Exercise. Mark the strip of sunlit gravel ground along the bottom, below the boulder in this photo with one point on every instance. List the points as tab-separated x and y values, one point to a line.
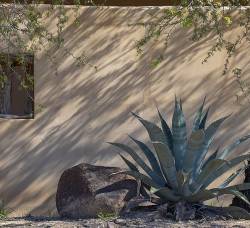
138	220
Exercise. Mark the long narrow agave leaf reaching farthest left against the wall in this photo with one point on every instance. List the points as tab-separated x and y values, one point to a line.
140	162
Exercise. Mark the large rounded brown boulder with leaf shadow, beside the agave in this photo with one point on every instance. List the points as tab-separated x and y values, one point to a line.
86	190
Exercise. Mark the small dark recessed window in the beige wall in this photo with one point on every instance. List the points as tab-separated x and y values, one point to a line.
17	86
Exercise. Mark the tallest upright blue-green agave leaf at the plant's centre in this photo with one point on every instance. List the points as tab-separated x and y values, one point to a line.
179	135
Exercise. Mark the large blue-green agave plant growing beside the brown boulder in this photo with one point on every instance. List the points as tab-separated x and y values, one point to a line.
180	171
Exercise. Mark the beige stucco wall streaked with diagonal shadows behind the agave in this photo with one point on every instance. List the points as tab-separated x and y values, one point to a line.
83	109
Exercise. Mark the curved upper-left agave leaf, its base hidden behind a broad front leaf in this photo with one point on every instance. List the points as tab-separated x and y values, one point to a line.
155	133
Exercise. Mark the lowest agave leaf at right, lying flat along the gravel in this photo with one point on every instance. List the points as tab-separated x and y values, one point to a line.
234	212
